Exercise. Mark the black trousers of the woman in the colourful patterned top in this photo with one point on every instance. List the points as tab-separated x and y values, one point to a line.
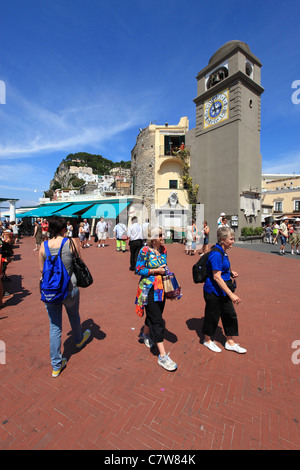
154	320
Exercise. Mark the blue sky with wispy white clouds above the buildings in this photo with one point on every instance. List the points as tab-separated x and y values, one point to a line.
85	75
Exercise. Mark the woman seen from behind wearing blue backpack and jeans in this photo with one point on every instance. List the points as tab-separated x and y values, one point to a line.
58	288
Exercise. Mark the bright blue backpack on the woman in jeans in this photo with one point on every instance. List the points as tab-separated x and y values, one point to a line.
55	280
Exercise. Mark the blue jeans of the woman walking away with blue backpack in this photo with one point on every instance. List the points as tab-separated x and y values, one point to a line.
71	304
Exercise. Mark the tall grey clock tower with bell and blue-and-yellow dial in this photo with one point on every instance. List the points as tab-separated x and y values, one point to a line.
225	144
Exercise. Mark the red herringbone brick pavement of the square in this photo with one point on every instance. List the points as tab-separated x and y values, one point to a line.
113	395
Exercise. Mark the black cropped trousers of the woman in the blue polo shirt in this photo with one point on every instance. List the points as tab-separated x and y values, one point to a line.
216	307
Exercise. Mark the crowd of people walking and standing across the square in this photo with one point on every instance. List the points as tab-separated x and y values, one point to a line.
148	259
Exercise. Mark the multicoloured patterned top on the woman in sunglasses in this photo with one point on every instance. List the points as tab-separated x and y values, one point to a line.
146	261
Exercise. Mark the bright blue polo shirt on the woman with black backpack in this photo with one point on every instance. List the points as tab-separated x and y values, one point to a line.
215	263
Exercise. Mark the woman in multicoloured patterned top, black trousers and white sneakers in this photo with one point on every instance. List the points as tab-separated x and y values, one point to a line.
150	265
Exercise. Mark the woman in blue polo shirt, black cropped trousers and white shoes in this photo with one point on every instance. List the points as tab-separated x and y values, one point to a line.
218	295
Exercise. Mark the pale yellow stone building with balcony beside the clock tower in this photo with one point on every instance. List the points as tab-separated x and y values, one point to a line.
157	169
